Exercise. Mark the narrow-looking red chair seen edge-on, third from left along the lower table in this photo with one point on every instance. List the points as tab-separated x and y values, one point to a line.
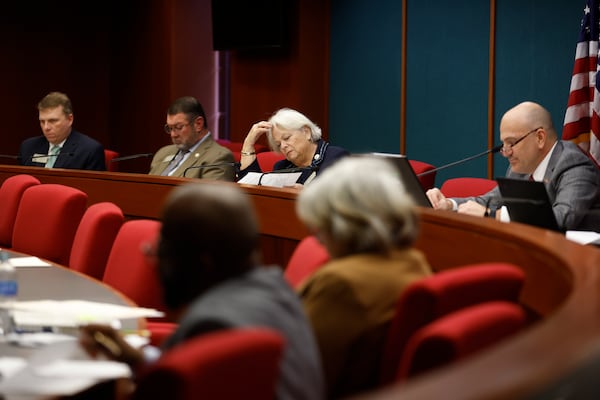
94	238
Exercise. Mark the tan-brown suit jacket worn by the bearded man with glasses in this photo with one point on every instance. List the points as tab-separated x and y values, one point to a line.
209	152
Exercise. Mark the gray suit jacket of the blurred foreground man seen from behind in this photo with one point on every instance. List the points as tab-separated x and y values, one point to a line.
261	298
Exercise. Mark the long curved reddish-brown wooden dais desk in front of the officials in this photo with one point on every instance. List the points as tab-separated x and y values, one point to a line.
562	281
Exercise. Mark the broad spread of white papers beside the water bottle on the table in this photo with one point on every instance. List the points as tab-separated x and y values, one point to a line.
73	313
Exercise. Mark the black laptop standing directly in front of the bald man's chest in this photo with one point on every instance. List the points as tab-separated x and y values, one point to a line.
527	202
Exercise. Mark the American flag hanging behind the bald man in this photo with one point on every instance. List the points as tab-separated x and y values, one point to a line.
582	119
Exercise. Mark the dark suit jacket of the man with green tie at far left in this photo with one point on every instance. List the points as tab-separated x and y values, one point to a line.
78	152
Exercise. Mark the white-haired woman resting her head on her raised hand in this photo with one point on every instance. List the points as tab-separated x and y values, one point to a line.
292	134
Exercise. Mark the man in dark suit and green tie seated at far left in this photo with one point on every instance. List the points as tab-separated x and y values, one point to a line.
60	146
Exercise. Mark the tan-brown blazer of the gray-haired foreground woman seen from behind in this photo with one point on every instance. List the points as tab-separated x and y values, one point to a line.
350	302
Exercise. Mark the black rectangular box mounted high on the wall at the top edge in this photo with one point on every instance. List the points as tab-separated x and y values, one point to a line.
251	24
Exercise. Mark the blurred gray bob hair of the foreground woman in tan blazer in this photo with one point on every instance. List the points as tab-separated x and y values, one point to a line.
361	205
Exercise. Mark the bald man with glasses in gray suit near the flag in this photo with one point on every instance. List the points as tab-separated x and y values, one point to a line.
534	152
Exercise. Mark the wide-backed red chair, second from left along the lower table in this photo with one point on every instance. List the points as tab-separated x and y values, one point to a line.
47	220
